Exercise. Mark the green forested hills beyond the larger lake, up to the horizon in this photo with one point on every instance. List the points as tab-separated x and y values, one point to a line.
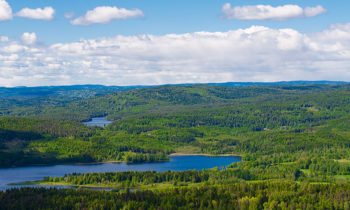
264	124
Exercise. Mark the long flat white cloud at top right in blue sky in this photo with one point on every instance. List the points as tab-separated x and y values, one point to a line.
267	12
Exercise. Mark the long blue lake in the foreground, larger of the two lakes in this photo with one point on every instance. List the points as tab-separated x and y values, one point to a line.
176	163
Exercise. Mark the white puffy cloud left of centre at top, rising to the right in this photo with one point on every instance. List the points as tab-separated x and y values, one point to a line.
105	15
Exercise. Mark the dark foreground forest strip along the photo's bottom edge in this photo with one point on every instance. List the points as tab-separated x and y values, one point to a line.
261	195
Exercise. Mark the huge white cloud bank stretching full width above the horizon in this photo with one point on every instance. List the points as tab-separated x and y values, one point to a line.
253	54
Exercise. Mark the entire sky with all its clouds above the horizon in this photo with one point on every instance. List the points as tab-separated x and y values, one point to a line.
138	42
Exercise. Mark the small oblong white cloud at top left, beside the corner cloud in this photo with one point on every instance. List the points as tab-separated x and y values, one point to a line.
41	14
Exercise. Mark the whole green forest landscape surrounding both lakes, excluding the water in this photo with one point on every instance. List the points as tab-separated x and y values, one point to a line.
294	141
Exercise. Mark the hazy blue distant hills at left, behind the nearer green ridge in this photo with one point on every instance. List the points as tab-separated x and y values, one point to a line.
23	100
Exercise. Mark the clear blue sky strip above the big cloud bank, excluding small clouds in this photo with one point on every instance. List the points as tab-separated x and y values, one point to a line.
161	17
